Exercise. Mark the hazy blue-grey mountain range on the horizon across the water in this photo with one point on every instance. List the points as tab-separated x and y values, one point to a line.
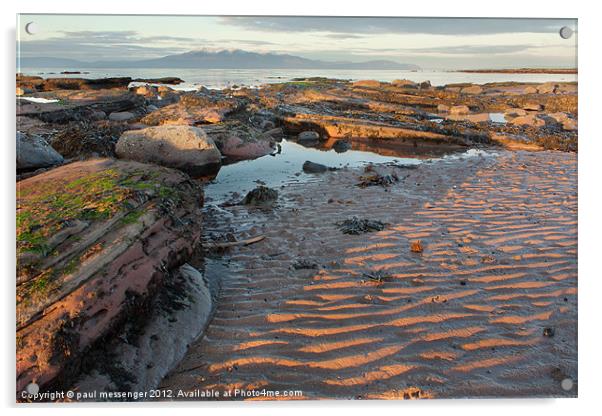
224	59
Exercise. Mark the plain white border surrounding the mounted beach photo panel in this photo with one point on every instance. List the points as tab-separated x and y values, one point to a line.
590	238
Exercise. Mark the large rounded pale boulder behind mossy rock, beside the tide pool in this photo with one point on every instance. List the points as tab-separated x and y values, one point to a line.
182	147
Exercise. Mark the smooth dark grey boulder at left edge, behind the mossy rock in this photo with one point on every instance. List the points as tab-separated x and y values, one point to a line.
34	153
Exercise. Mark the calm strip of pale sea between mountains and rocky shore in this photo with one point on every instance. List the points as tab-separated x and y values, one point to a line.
221	78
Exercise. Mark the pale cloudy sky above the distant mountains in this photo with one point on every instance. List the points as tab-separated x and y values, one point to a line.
433	43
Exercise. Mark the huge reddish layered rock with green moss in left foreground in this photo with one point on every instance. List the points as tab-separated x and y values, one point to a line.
95	240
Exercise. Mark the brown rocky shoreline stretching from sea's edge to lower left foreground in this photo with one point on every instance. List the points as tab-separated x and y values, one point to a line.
110	186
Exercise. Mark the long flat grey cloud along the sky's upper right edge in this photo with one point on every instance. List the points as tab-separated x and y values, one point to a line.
380	25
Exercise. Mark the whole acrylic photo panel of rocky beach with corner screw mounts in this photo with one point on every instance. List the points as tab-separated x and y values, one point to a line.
285	208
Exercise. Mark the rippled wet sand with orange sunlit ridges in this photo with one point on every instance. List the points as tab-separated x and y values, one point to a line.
464	318
